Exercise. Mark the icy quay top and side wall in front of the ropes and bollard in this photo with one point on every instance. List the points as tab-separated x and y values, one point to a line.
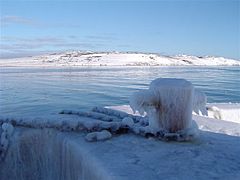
125	157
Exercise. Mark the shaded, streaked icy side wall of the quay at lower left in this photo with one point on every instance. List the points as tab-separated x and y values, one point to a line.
34	151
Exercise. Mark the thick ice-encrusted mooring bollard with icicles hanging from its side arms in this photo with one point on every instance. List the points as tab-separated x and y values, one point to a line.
168	104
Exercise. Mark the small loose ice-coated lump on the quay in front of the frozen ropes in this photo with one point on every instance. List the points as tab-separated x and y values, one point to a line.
98	136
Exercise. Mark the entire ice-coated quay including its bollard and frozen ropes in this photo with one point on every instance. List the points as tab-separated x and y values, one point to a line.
114	143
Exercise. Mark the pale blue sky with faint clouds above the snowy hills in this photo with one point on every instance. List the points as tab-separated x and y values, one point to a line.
166	27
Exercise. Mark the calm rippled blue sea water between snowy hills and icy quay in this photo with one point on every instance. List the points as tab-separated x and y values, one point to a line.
38	91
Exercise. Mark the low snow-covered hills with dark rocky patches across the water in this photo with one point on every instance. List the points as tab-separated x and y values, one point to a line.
79	58
